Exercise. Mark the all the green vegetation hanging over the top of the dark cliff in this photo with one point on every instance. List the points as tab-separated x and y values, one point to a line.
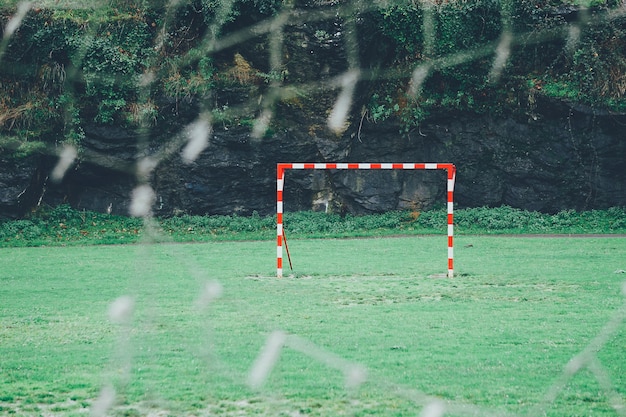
121	62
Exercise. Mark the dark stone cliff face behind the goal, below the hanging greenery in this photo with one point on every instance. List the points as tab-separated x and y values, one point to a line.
566	159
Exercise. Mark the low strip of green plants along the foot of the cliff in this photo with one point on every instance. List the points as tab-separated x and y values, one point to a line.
66	226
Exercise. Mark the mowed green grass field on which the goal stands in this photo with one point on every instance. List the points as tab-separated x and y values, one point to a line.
529	326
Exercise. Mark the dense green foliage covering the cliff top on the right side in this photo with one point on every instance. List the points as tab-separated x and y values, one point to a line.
549	45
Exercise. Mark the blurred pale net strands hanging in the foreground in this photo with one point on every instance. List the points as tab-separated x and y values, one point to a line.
194	138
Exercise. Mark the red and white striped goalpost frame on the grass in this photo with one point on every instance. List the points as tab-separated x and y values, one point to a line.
282	167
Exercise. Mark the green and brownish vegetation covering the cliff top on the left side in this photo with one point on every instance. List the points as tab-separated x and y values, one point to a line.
72	63
